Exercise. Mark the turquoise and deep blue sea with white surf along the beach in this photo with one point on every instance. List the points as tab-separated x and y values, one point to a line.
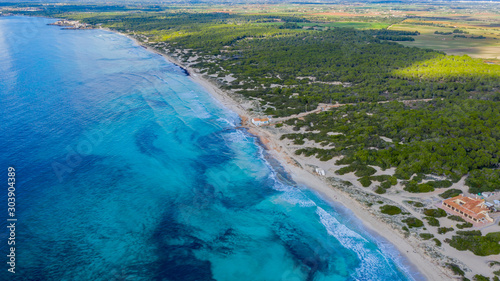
128	170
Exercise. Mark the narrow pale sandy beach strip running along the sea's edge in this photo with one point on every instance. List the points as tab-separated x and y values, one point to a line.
409	250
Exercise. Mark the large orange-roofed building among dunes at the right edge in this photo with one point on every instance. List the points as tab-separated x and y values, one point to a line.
472	209
